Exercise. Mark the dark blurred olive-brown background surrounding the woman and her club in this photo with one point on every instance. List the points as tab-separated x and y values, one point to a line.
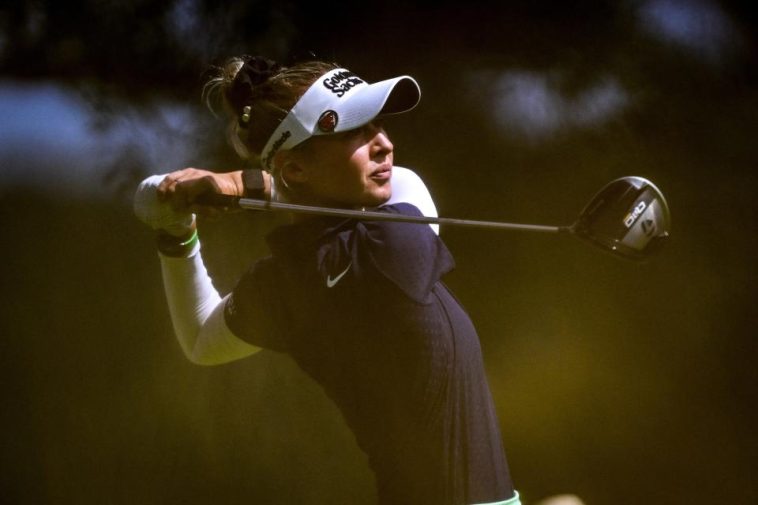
617	381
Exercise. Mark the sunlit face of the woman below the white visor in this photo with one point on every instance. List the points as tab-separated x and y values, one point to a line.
351	169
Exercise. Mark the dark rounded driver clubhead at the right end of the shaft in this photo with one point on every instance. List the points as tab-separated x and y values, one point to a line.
629	217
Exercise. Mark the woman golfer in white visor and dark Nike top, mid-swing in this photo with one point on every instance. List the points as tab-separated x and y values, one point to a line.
359	305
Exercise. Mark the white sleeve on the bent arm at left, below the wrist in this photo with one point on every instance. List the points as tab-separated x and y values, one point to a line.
197	312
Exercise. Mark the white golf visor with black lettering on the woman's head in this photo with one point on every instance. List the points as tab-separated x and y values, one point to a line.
339	101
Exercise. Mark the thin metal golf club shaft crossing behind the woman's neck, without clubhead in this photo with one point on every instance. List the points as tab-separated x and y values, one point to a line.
253	204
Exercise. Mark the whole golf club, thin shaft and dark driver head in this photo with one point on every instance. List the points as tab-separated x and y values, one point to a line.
628	217
